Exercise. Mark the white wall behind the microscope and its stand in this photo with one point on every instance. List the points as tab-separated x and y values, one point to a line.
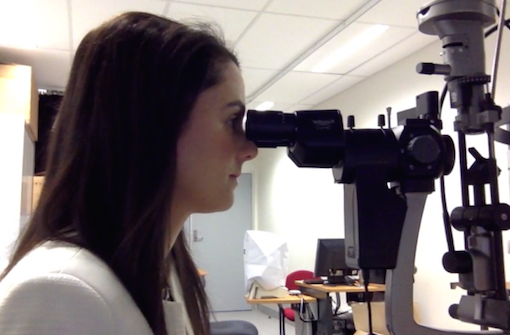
304	204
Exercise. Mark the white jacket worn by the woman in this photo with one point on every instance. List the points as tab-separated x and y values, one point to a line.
59	288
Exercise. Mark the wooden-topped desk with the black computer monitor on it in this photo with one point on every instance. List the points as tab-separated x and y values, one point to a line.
321	293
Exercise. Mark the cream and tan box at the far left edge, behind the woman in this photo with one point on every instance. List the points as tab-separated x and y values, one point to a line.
18	94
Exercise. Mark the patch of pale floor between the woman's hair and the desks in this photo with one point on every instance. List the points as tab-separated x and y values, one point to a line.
265	324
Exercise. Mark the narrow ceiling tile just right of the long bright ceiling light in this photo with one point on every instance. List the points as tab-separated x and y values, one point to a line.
395	53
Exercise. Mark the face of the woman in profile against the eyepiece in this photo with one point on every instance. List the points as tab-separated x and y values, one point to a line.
213	148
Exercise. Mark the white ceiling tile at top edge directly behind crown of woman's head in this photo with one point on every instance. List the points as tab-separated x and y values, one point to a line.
86	15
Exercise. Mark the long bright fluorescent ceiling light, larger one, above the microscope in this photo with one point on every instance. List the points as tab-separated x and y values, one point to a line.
351	47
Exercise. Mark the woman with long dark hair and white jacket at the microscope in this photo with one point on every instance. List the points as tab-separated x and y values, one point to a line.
149	131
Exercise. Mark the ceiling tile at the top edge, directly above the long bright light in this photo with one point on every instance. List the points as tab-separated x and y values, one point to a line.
330	9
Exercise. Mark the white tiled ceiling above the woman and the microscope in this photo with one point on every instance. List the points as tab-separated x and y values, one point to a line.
278	41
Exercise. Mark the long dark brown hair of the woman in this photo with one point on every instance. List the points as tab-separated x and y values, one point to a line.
112	156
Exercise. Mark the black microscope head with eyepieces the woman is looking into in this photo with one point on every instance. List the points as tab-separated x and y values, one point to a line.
316	138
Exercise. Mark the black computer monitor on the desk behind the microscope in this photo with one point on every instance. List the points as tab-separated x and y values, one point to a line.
330	261
